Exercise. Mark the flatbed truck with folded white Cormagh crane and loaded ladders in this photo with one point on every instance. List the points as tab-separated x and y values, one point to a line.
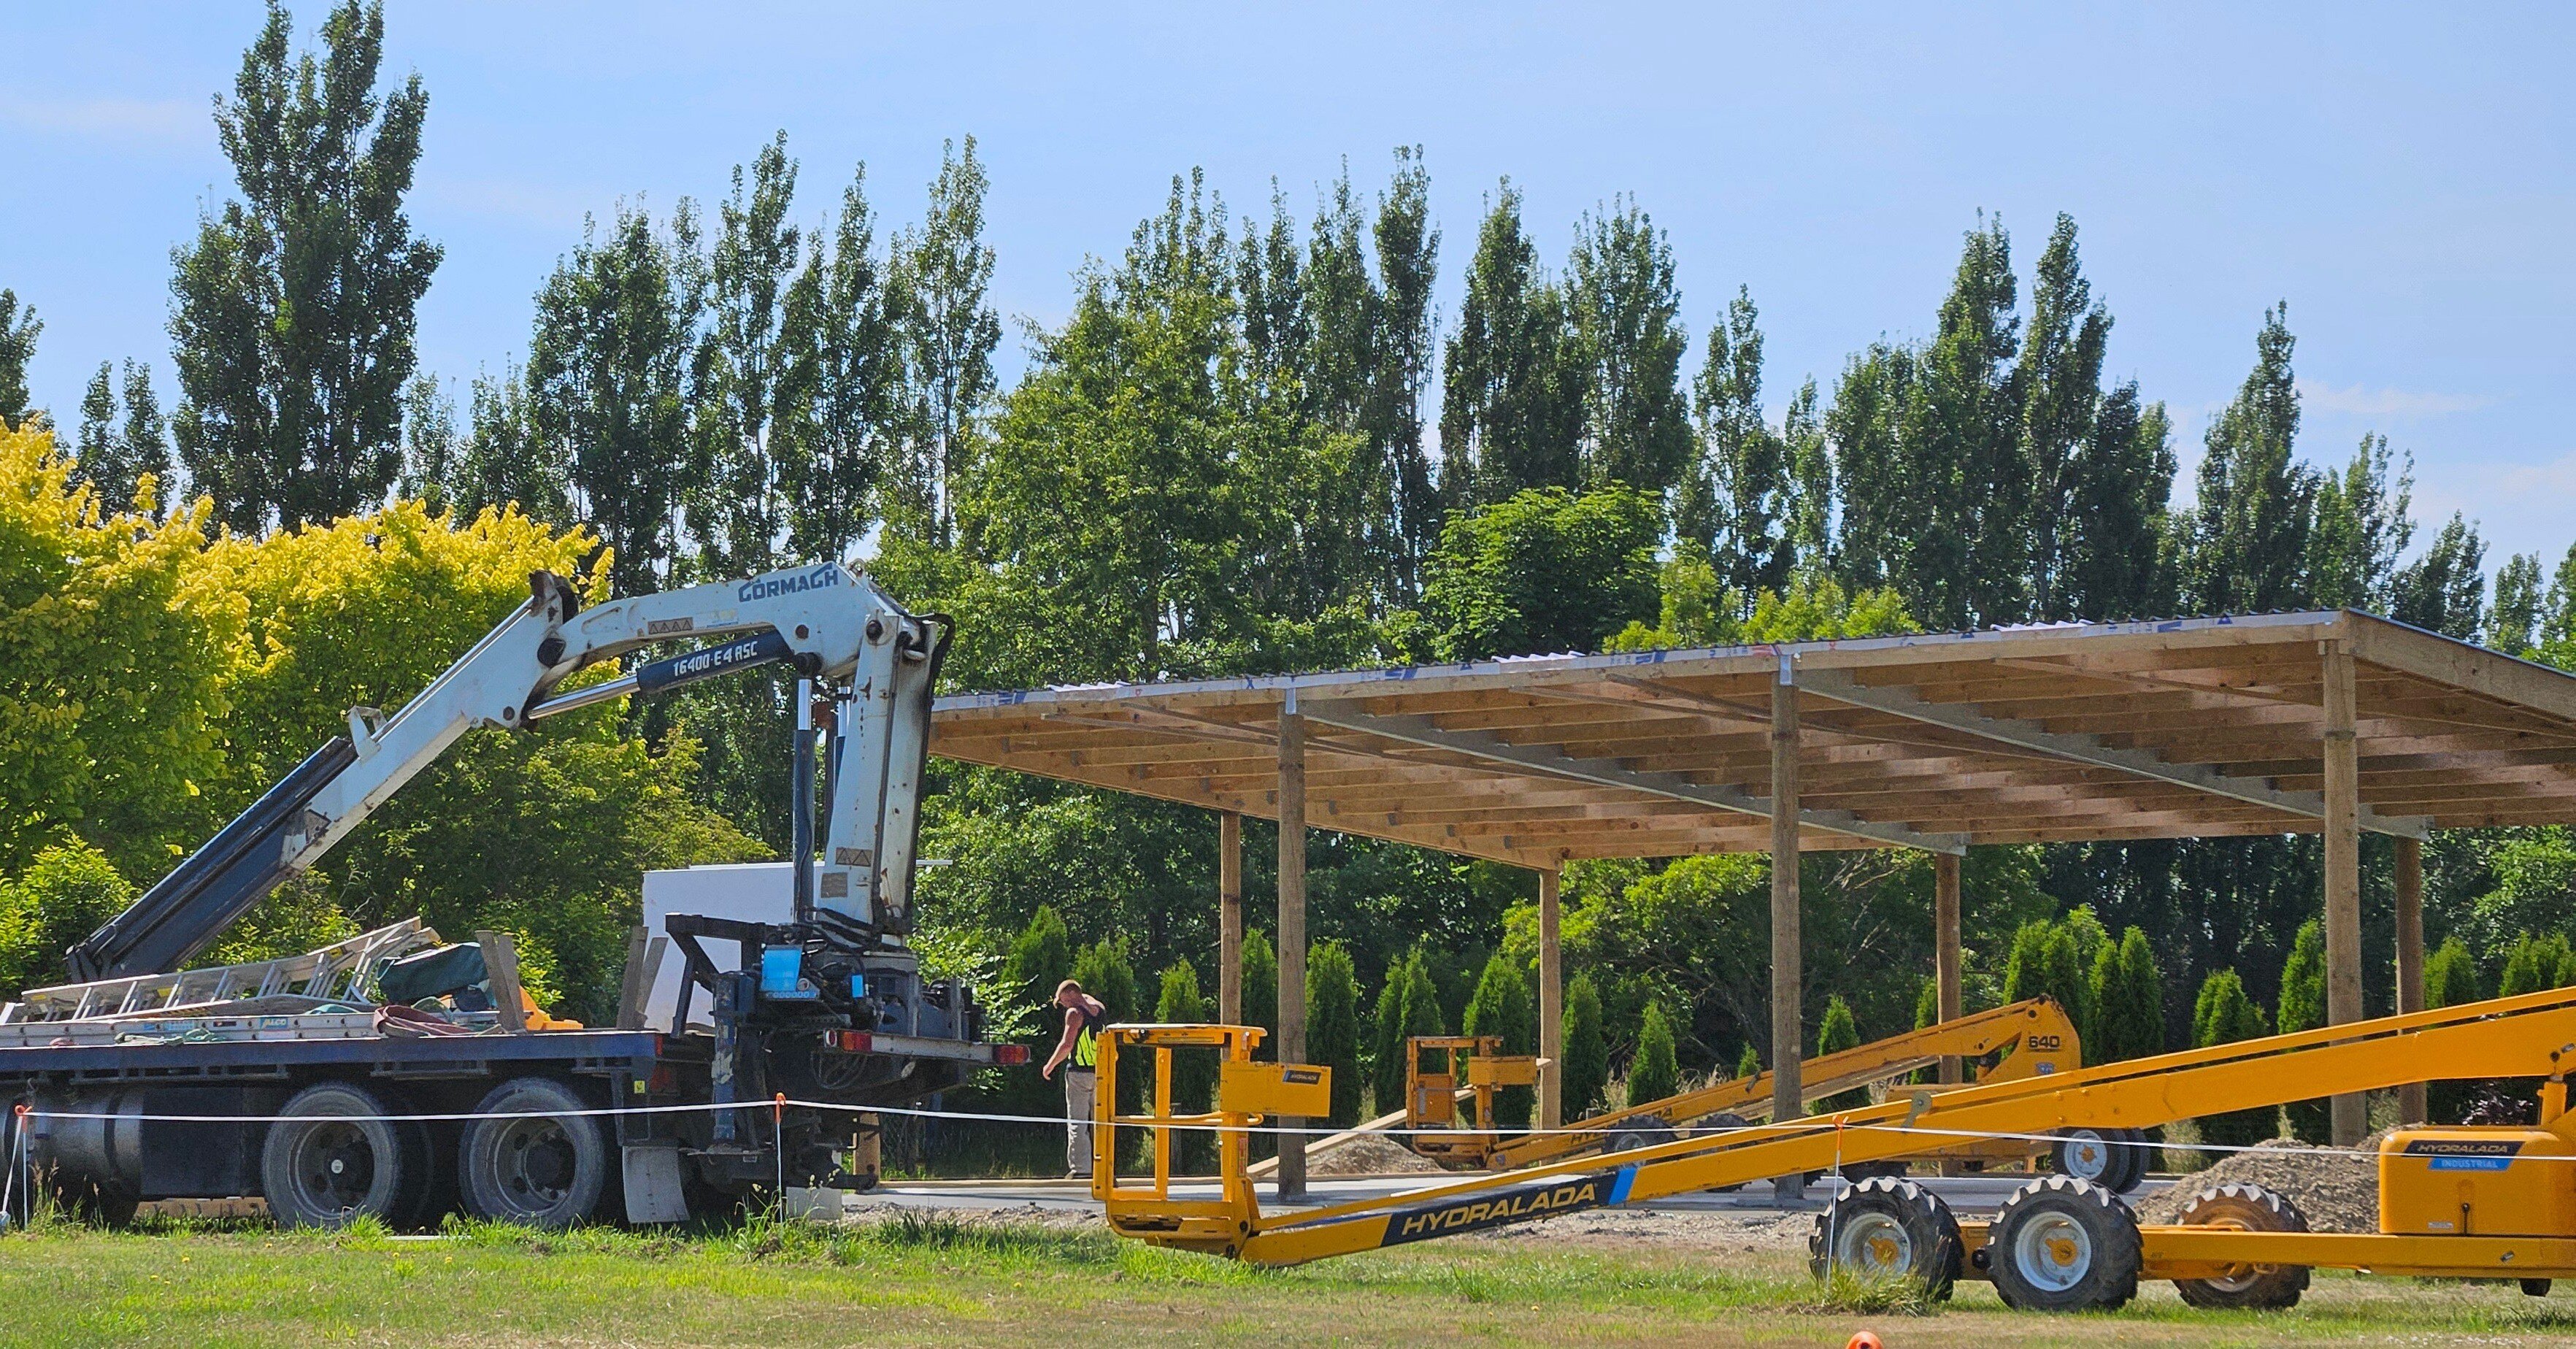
290	1080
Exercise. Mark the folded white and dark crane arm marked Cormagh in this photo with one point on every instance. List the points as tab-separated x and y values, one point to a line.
826	619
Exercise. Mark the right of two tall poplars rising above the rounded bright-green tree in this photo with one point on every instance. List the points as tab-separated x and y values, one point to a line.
1629	333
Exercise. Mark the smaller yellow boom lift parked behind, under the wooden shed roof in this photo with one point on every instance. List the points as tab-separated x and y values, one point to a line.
2008	1044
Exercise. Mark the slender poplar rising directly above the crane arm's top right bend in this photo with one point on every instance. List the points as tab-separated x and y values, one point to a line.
949	331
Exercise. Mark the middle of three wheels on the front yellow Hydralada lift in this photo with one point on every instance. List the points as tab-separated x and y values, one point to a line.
2065	1245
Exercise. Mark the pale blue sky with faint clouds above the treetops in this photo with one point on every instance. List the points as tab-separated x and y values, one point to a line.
2400	176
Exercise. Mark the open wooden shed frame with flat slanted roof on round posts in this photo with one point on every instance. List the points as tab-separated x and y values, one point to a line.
2193	727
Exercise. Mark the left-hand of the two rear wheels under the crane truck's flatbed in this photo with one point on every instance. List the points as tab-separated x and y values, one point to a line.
334	1157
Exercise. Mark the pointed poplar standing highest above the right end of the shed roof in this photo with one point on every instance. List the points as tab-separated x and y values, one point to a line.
2255	501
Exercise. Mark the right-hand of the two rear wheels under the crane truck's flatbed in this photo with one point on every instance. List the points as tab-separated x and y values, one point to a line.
547	1168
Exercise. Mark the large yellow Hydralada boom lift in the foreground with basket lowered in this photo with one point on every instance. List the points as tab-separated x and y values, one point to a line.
2474	1201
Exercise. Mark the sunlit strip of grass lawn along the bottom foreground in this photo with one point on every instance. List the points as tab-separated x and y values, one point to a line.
942	1283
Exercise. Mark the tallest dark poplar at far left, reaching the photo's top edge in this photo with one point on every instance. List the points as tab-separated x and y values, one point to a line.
292	313
